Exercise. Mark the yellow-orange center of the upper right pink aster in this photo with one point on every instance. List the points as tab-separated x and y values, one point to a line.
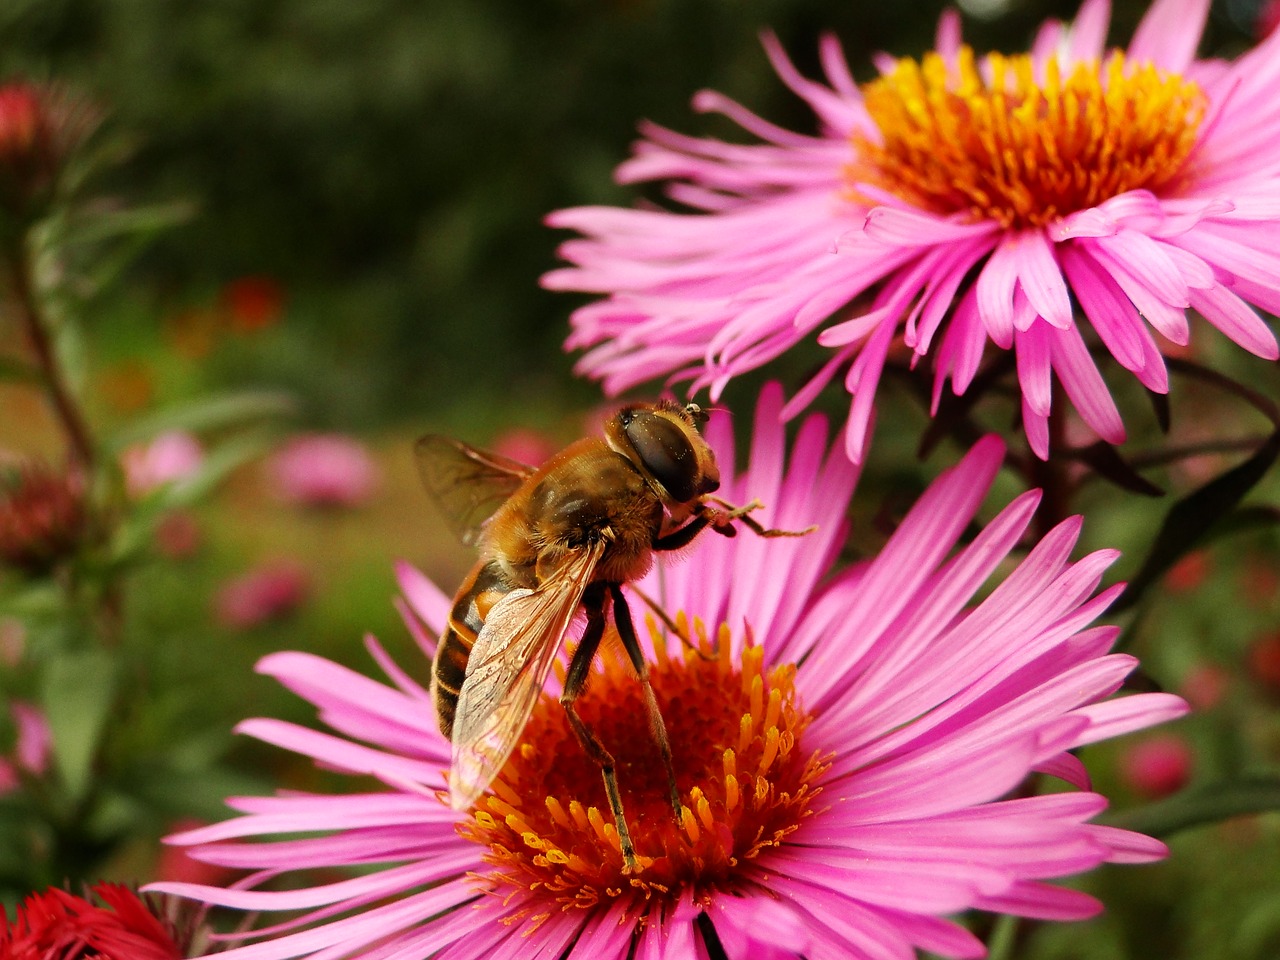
1021	144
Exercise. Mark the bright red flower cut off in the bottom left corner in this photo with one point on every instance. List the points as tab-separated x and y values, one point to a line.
61	926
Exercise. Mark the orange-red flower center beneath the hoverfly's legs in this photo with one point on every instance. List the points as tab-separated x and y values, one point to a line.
744	780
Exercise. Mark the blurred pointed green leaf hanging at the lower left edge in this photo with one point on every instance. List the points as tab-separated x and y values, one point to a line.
77	697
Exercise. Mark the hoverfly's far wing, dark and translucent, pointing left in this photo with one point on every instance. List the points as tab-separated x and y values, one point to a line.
469	484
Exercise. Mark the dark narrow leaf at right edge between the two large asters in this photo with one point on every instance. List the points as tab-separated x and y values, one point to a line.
1194	516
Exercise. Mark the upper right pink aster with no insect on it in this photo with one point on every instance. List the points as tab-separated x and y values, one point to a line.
1032	202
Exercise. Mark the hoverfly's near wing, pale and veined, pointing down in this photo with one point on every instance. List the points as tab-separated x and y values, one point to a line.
509	665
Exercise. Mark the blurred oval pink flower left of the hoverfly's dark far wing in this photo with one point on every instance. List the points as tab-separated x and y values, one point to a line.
324	470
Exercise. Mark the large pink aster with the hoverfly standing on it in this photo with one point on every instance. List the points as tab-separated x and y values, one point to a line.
848	748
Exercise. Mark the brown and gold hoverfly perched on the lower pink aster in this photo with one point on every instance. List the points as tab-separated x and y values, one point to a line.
554	540
